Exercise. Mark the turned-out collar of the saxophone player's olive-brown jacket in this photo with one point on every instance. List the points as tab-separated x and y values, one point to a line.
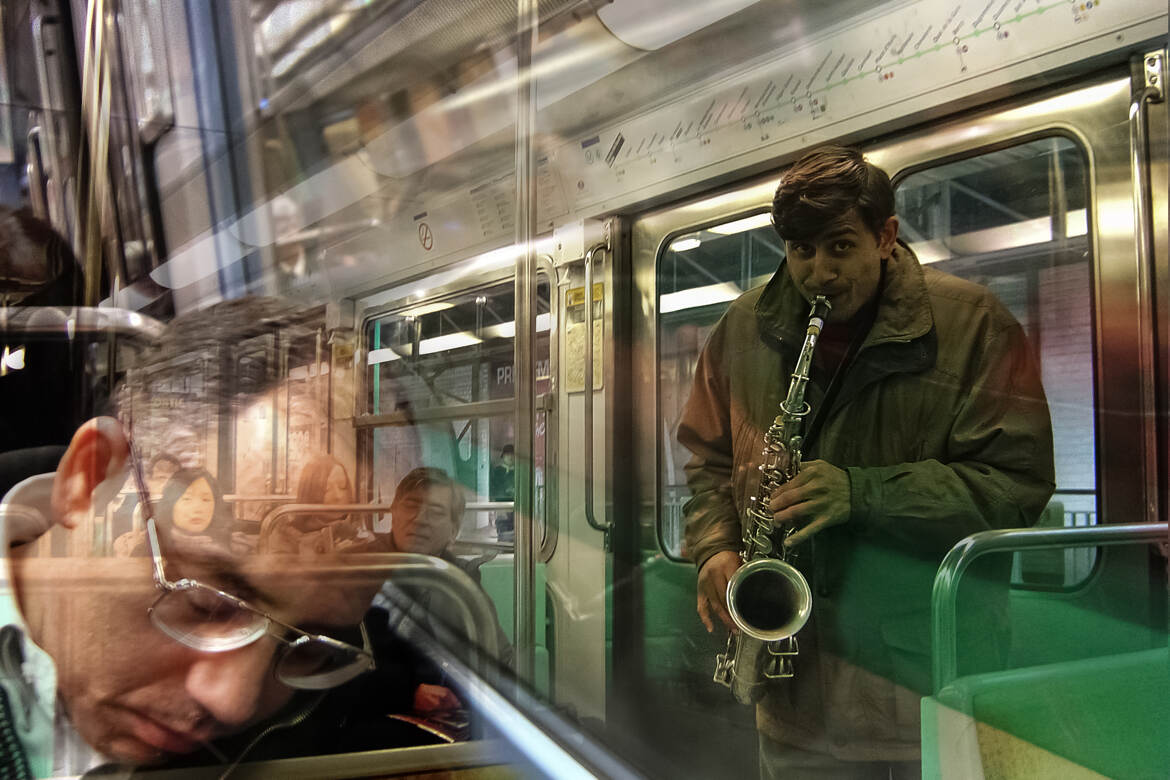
904	308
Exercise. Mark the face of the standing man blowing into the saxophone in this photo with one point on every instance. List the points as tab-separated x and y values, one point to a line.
843	263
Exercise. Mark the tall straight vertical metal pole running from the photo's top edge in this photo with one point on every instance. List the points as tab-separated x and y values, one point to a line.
525	367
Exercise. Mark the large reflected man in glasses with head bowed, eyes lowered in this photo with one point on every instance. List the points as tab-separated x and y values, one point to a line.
188	650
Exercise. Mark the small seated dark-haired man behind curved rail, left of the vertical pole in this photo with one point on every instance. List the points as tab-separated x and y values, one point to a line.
425	515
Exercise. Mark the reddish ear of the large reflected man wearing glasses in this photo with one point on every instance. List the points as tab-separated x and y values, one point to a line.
98	453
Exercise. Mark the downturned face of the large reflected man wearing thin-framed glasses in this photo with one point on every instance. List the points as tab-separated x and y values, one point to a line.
133	693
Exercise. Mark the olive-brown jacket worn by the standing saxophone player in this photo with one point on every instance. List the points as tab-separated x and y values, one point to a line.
944	430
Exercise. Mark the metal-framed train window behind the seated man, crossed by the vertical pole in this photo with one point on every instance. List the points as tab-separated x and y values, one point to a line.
437	391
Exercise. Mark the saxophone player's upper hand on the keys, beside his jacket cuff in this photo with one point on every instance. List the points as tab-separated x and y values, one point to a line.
816	500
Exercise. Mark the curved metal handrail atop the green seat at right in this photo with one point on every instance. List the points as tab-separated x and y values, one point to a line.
946	591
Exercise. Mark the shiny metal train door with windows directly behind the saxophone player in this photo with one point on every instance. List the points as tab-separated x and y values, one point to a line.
1035	201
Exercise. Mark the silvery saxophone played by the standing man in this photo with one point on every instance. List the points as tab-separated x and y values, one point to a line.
768	598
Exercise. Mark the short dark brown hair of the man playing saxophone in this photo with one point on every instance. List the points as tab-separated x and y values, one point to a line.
825	185
